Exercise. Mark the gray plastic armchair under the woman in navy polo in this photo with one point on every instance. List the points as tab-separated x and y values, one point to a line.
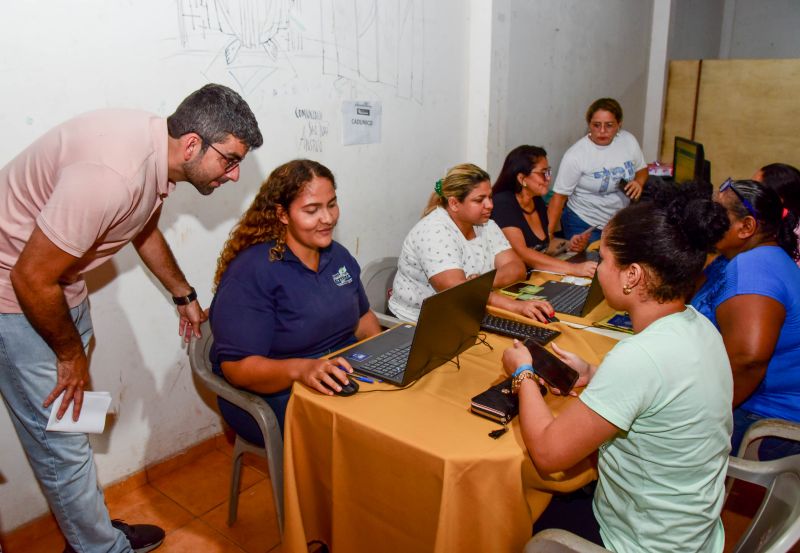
199	349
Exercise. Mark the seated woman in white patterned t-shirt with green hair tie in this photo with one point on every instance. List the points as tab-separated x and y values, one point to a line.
456	240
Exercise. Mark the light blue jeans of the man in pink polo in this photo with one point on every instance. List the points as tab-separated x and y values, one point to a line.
62	462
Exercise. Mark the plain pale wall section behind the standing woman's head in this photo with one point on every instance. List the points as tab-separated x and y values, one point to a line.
562	56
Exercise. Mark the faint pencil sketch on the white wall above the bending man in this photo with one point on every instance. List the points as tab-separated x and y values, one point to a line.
291	46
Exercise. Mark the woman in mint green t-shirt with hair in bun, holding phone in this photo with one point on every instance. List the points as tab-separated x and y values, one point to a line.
658	407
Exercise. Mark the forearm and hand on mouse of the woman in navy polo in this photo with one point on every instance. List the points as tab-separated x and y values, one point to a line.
265	376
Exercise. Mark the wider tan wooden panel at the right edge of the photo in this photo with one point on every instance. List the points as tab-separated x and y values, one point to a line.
749	115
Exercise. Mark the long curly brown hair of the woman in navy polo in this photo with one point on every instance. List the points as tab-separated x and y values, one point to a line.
260	222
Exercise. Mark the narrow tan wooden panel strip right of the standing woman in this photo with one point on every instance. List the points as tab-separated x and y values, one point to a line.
679	110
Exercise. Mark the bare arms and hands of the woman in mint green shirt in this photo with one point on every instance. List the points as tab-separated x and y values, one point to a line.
556	444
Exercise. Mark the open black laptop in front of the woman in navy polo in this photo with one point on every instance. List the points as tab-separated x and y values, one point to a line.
448	324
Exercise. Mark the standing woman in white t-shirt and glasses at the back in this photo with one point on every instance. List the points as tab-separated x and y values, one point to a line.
599	175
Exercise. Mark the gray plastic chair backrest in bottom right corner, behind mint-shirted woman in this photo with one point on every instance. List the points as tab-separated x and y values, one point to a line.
776	526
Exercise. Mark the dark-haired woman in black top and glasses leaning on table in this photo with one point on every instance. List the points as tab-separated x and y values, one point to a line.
521	213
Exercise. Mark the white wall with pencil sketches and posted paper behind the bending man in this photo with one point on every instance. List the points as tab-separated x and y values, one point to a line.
58	59
